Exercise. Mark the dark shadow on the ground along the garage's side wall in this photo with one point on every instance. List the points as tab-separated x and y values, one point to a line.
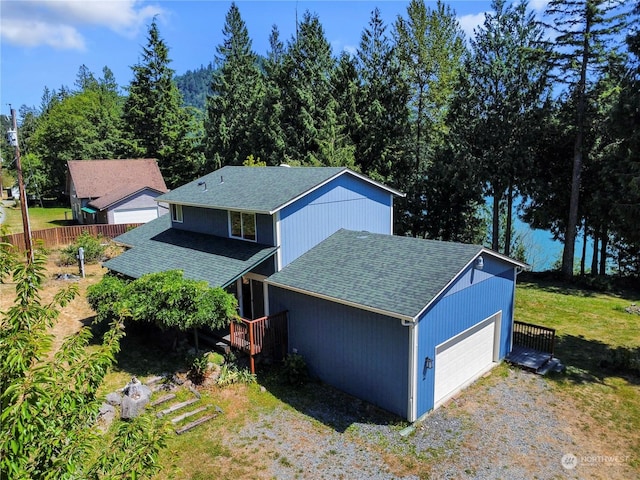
324	403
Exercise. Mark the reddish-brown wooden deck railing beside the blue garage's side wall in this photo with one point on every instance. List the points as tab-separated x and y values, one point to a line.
267	335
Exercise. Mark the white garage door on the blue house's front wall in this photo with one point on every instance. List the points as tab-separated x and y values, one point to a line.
463	358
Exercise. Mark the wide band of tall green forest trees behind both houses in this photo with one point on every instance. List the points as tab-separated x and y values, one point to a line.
538	113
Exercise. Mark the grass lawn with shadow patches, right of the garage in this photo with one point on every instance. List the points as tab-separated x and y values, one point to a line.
589	327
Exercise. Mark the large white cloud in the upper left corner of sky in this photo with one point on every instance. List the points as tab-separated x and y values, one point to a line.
59	23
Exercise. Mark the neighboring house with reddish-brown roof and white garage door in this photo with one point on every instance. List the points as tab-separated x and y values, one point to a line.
115	191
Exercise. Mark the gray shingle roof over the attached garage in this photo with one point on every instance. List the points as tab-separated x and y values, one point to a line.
391	274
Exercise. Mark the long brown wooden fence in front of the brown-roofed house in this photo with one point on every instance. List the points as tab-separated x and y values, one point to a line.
54	237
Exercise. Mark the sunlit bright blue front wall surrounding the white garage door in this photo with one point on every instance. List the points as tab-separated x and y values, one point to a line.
474	297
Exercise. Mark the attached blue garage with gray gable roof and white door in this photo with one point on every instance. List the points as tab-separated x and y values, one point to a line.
400	322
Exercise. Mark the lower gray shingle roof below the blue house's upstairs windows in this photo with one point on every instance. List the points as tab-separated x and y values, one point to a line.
159	248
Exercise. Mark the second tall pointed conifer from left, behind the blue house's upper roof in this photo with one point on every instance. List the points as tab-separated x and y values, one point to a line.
237	90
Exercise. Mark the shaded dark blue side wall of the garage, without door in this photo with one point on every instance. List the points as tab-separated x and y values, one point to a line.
358	352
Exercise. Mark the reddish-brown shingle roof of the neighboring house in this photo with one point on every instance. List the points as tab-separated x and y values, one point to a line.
96	178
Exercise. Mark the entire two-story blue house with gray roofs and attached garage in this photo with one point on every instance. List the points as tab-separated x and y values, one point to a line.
403	323
